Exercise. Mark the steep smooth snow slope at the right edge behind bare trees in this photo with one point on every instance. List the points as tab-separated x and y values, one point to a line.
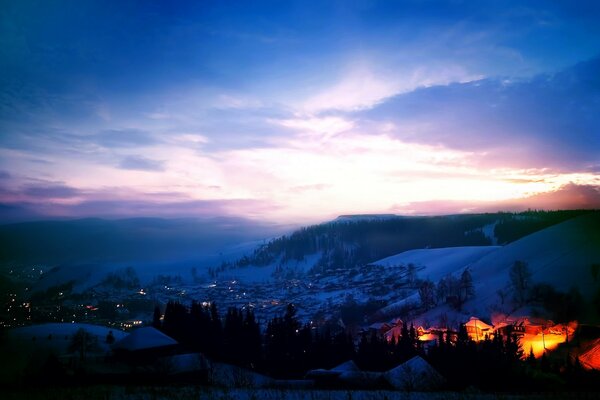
561	256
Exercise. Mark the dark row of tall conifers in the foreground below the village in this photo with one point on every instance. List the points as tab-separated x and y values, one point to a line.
287	348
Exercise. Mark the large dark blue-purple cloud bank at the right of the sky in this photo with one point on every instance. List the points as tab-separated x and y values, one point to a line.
549	121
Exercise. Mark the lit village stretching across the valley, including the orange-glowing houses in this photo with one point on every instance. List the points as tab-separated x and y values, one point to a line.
318	298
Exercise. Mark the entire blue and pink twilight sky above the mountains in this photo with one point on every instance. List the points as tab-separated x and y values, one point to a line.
297	111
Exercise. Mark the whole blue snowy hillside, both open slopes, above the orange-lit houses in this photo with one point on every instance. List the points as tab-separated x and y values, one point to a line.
563	260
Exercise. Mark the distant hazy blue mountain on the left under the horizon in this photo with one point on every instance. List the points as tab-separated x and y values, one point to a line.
136	240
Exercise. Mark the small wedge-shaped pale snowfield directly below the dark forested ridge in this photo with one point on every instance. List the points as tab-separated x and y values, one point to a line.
438	262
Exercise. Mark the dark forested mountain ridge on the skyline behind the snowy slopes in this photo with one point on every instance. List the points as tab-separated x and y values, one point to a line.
349	242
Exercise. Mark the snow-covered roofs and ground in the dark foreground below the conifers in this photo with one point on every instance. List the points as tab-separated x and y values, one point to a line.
150	351
